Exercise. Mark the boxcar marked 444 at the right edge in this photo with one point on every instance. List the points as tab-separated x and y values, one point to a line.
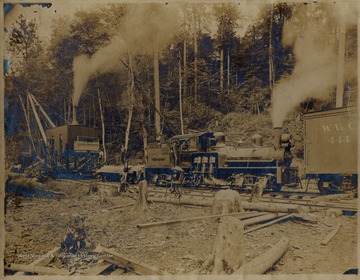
331	149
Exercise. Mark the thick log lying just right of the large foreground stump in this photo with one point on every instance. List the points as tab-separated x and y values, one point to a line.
264	262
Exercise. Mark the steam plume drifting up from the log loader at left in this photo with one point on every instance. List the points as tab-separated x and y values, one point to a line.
144	28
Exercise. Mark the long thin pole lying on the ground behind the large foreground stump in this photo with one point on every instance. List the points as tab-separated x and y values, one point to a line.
243	215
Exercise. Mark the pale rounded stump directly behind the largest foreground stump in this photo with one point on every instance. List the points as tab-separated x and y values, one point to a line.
226	201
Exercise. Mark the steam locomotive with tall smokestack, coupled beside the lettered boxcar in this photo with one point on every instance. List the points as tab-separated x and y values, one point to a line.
206	159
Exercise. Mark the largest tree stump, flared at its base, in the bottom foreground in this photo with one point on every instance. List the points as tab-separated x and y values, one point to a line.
228	251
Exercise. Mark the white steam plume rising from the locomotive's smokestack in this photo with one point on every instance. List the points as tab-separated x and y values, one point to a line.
315	71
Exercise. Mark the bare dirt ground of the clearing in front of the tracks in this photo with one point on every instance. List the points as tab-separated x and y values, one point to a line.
34	226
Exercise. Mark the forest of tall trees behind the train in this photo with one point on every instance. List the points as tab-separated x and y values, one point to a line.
215	71
